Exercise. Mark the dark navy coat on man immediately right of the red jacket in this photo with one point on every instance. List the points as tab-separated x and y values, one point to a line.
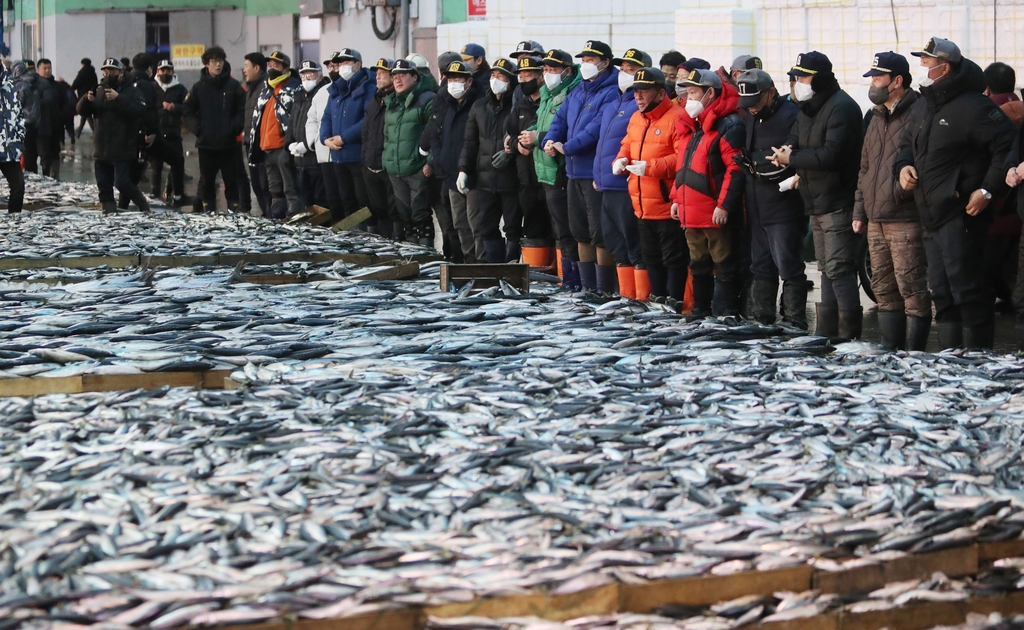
765	204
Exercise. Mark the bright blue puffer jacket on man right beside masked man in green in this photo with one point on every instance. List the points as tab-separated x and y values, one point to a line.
578	123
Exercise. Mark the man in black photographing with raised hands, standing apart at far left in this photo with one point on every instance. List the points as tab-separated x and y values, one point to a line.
118	107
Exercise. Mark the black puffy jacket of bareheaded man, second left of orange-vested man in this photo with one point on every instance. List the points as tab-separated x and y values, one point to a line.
216	110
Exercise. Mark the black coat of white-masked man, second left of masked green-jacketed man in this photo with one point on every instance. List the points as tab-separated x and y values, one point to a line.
485	137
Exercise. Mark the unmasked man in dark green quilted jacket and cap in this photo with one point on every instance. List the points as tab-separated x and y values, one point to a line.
408	112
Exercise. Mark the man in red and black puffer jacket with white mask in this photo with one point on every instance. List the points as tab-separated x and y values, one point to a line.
709	192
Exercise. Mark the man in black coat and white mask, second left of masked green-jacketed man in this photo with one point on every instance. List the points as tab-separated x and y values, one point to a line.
487	173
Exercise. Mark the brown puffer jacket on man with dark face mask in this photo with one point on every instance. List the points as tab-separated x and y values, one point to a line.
880	198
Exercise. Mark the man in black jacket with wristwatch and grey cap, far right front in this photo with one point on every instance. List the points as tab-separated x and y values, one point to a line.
954	173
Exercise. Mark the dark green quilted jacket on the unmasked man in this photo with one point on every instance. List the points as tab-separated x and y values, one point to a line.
404	123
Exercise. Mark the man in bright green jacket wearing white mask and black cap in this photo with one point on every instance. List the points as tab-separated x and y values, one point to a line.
562	76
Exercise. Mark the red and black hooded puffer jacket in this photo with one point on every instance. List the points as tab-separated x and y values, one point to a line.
708	176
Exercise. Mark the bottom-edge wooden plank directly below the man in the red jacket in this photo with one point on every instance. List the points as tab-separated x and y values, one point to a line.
705	591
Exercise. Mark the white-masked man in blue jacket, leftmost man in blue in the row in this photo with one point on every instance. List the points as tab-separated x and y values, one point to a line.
342	132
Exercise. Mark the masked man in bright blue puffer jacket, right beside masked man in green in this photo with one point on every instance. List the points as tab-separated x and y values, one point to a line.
575	134
